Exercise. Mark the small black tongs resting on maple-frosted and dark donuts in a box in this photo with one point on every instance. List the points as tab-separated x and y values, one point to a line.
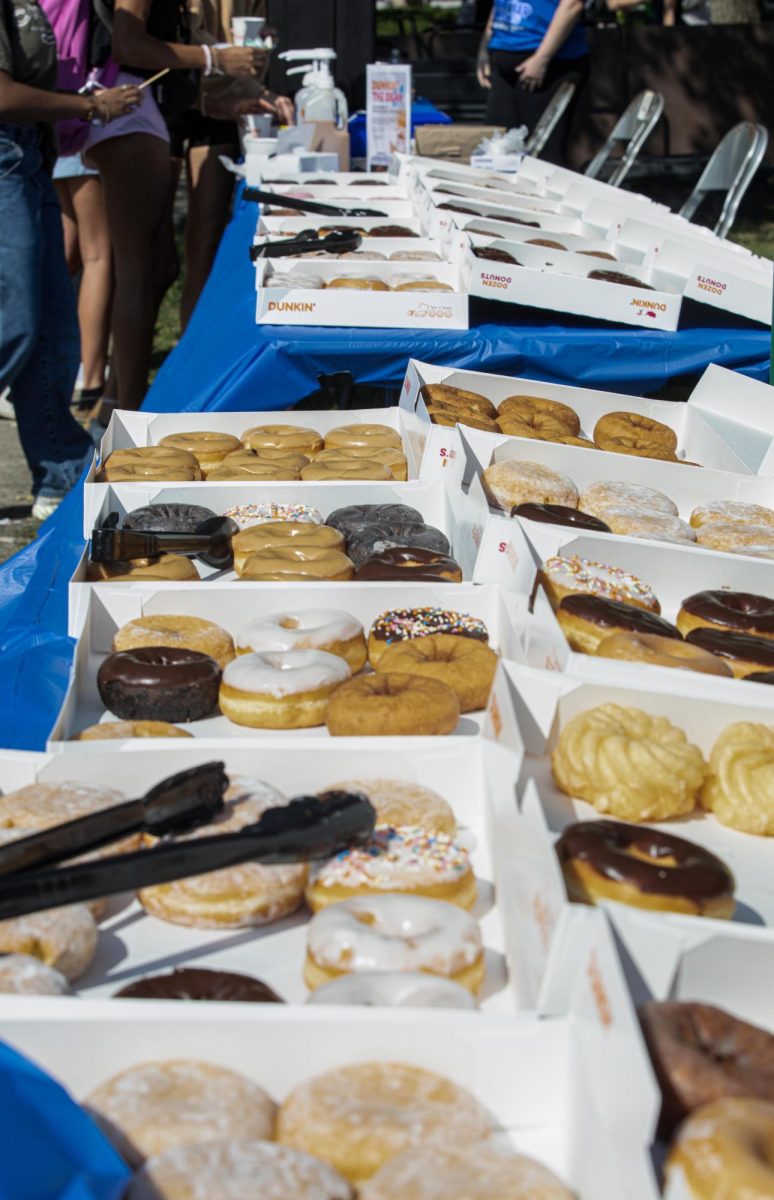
211	542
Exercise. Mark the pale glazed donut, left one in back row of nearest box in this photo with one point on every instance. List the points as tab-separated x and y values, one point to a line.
159	1106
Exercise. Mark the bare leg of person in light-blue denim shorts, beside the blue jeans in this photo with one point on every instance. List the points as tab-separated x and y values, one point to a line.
97	283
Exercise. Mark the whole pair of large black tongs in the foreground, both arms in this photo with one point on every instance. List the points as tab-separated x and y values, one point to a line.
310	827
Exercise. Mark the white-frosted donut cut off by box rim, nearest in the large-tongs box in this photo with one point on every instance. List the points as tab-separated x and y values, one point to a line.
393	989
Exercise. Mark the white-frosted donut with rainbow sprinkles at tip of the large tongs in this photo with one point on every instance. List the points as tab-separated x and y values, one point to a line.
409	861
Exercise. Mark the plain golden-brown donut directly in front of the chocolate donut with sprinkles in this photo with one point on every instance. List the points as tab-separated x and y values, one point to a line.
465	664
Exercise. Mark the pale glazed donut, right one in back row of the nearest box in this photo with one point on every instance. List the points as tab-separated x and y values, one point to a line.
358	1118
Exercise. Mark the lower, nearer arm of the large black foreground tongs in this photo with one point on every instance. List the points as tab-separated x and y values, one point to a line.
308	829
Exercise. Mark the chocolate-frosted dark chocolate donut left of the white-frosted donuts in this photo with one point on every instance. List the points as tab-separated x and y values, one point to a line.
159	683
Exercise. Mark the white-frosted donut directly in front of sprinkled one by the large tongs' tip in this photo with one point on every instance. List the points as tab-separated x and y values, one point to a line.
394	933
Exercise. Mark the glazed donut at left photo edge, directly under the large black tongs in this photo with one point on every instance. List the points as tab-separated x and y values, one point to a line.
63	939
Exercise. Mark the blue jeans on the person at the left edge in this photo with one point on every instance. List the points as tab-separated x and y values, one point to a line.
40	346
